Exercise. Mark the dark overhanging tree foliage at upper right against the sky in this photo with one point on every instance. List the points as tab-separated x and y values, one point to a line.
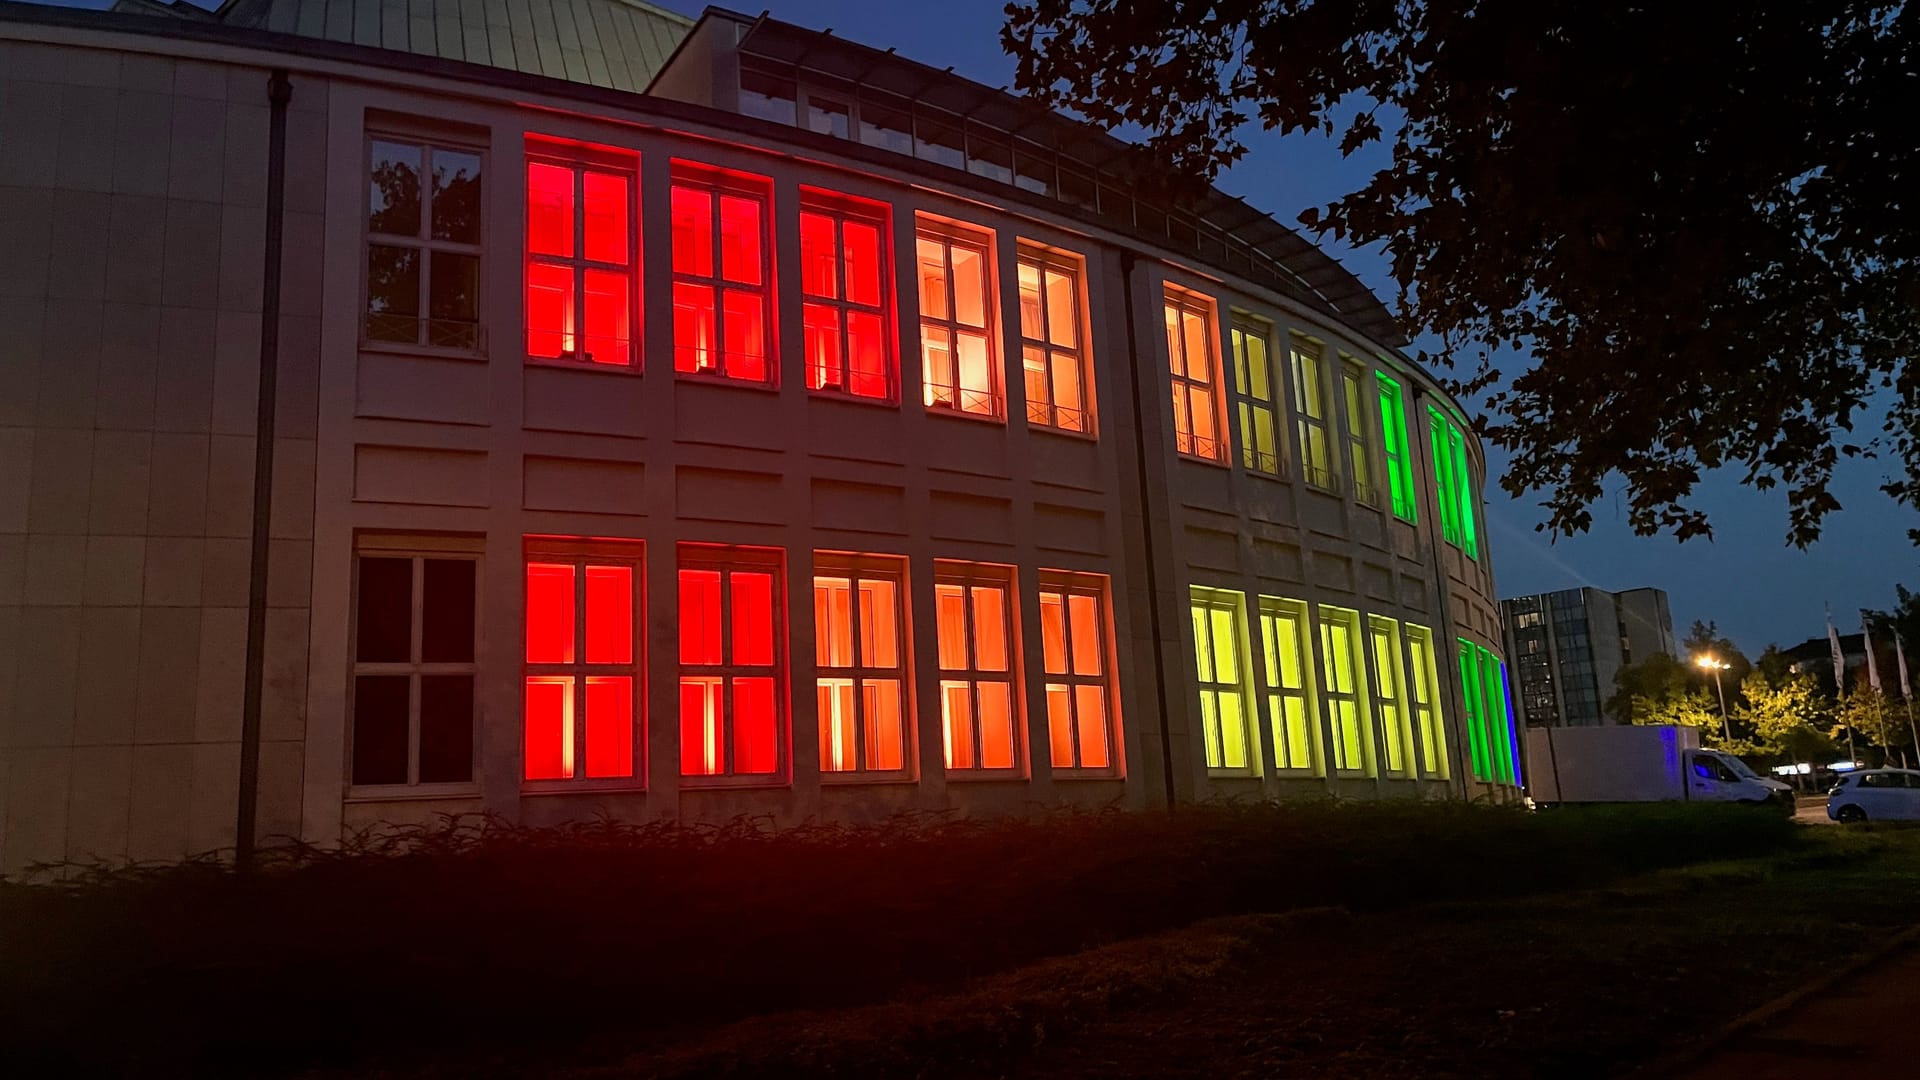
1694	218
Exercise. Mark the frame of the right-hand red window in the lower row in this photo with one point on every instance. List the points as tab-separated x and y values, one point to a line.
731	560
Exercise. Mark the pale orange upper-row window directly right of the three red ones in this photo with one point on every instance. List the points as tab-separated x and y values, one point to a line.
957	356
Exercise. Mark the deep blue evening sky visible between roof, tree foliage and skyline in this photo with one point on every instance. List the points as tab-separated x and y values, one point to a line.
1746	579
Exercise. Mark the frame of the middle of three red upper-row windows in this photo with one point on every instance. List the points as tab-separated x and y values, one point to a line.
719	182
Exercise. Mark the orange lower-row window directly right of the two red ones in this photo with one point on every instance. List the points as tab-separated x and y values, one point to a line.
861	662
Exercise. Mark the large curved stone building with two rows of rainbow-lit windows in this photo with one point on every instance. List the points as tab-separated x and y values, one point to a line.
677	420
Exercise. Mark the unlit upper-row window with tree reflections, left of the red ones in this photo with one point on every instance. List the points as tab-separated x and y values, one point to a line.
423	245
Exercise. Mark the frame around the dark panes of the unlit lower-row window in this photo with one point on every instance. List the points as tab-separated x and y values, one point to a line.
420	551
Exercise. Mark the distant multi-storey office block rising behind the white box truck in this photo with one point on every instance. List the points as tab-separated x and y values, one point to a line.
1568	649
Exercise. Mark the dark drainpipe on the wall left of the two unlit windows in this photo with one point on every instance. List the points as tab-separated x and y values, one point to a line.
279	93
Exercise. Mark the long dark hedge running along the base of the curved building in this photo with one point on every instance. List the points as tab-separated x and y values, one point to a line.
479	935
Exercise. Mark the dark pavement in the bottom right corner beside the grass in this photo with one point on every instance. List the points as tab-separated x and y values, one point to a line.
1860	1027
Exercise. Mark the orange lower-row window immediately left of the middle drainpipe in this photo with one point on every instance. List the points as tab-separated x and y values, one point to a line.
1080	716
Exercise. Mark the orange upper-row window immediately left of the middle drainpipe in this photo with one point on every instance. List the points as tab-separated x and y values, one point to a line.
1051	351
